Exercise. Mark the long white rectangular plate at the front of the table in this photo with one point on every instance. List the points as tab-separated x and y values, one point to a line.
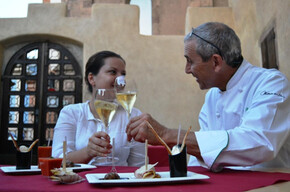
129	178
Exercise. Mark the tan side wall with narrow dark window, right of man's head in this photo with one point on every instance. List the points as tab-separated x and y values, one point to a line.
254	19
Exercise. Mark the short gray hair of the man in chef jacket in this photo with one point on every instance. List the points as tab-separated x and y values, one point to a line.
216	38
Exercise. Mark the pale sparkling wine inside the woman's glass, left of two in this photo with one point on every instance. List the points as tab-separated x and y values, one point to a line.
106	111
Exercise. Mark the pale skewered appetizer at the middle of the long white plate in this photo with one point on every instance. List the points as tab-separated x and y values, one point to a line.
149	173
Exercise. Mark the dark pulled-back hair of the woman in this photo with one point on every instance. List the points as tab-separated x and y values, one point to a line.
96	62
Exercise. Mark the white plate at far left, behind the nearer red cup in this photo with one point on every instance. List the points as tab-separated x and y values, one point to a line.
34	169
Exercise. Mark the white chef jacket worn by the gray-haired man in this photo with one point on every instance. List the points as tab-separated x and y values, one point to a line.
249	123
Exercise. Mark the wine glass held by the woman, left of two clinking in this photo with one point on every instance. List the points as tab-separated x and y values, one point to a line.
105	105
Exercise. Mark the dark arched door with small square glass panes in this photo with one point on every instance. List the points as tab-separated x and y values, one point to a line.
38	81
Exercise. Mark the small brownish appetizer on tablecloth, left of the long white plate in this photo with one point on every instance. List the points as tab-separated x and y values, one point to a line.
67	177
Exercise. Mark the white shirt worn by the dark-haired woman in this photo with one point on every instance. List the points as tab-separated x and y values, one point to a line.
77	124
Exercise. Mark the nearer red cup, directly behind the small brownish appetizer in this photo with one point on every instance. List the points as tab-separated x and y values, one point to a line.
46	164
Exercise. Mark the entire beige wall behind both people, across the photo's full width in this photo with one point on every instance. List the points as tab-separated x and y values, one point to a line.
157	62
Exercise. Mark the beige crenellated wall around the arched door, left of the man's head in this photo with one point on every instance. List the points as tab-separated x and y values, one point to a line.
157	62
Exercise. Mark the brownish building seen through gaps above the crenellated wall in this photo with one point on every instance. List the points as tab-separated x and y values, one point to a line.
168	16
